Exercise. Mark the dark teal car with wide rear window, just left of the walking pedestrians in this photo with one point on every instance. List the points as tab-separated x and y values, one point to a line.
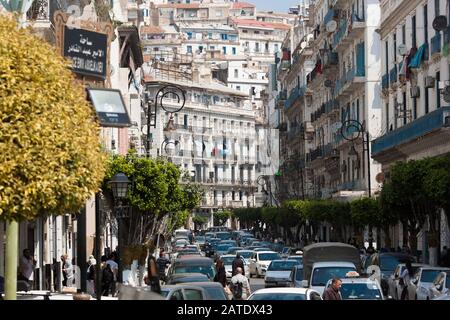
190	264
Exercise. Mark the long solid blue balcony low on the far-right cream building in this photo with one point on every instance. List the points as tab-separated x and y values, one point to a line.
434	121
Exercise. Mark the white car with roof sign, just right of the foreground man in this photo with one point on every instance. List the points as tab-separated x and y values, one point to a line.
360	289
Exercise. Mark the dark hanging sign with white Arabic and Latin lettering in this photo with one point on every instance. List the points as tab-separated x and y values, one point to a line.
87	50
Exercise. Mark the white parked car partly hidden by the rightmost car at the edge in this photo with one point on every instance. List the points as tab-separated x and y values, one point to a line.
422	281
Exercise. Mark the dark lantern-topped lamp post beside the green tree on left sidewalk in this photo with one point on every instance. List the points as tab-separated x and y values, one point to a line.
119	186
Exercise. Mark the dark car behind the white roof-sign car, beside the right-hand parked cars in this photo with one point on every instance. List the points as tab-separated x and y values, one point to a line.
387	262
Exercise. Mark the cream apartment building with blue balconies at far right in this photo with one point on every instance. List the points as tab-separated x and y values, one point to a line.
414	81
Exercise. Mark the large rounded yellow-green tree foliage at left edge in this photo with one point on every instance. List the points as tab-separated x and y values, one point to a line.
50	155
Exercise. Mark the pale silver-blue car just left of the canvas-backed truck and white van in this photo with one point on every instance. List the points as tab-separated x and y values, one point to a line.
279	273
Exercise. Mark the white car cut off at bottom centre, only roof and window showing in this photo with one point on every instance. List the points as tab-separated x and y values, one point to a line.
285	294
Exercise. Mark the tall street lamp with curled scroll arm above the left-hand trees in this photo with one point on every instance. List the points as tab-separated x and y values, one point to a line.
163	93
